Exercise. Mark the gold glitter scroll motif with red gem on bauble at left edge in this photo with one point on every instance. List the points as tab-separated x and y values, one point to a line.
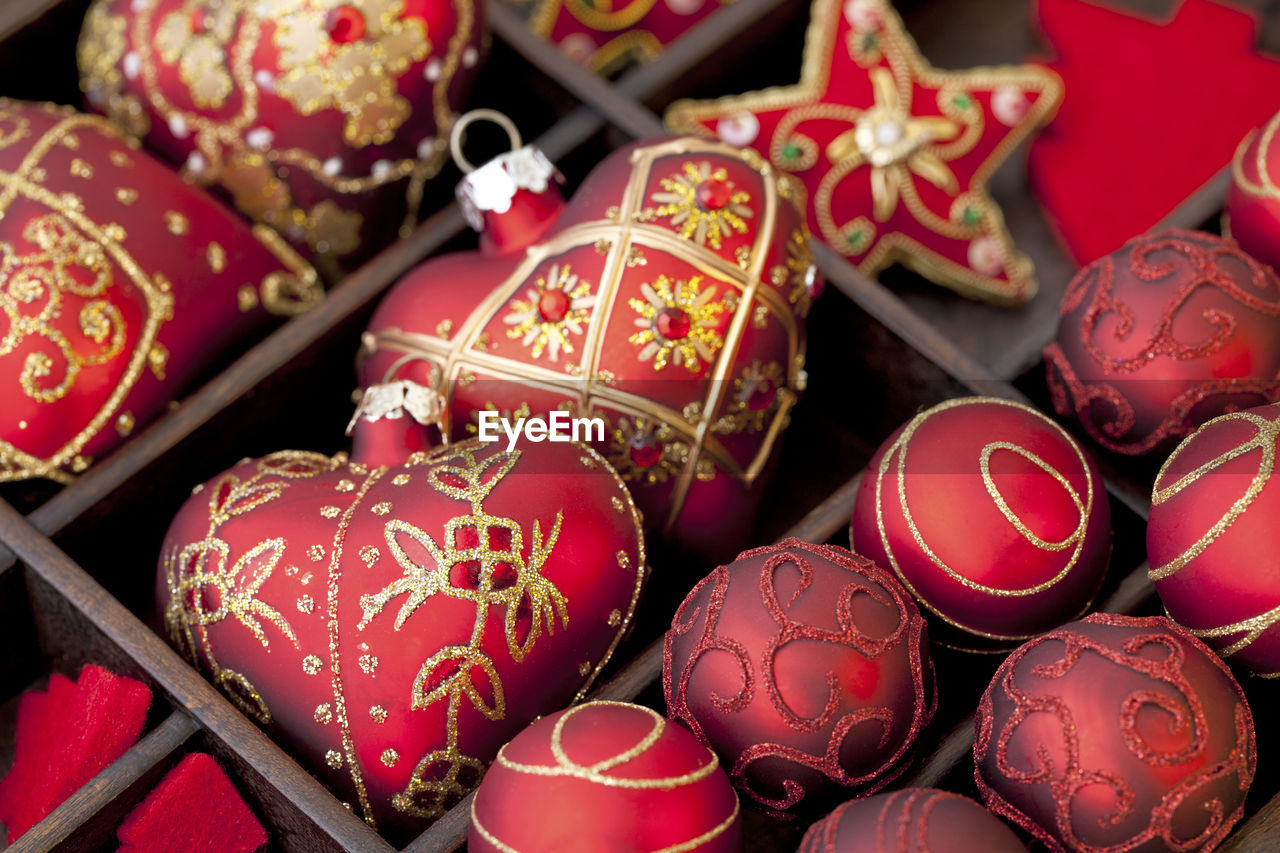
68	275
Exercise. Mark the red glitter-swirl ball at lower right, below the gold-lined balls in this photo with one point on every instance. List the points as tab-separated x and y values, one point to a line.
1117	733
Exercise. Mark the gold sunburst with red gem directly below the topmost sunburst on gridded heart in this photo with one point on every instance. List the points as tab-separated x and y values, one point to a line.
679	322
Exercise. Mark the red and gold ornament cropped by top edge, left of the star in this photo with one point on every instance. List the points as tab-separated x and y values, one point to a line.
606	37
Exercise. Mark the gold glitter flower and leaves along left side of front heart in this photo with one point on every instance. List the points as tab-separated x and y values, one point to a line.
204	592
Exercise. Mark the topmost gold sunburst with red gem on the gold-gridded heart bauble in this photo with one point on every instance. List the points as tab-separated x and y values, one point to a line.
702	203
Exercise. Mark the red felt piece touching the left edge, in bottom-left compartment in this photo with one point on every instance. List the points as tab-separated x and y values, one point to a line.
66	737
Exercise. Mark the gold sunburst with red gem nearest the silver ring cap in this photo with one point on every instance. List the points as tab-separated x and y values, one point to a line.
554	309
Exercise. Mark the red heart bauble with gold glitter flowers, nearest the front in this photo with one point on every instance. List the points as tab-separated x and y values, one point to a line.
396	626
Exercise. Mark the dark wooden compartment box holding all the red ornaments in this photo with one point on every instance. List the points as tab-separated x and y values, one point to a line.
77	565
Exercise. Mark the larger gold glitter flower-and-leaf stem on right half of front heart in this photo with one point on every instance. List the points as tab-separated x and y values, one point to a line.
481	562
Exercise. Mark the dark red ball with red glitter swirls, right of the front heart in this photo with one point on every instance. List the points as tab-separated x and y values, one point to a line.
822	678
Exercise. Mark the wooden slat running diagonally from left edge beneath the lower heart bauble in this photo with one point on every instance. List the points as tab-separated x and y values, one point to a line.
185	686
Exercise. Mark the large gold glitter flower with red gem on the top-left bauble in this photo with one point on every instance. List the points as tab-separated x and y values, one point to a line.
358	77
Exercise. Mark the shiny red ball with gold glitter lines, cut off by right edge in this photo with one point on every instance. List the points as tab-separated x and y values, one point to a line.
1213	537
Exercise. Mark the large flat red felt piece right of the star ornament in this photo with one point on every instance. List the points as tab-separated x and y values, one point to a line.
1153	112
